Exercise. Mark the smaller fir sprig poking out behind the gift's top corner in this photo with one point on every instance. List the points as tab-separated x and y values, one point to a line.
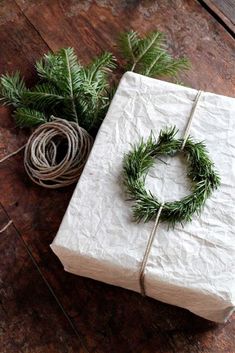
148	55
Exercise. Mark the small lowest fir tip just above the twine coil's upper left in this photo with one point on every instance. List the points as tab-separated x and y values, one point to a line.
26	117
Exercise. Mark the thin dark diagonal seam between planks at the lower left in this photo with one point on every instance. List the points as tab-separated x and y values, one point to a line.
80	339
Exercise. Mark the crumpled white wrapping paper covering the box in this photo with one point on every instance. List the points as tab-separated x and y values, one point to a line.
192	266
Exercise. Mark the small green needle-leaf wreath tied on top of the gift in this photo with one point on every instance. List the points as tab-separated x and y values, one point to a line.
137	163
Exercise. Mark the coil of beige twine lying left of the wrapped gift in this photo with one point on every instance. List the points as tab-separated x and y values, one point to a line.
56	153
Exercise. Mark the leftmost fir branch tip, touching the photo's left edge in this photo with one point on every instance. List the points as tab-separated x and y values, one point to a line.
12	88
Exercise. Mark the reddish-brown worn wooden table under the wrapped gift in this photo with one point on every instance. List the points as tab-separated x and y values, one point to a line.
43	309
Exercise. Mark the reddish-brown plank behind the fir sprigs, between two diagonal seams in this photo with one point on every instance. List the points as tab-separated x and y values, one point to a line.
93	26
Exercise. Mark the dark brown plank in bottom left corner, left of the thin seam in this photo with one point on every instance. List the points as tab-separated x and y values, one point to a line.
31	320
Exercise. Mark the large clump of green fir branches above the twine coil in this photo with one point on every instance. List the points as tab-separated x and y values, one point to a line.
66	89
